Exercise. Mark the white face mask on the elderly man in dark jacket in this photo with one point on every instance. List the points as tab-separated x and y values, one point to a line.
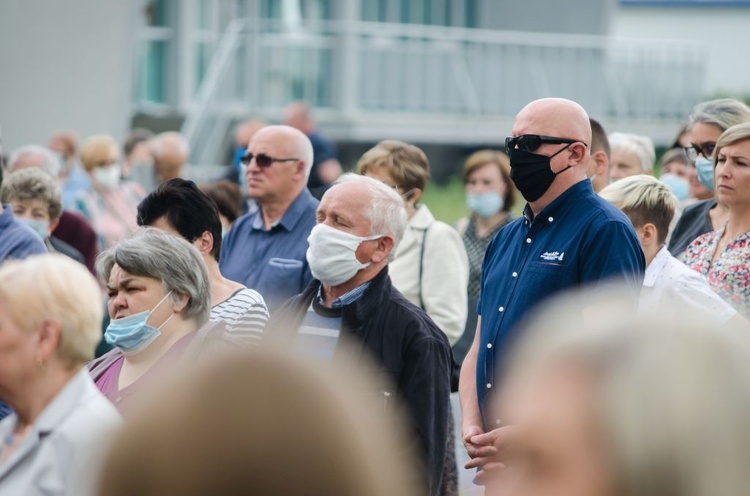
331	254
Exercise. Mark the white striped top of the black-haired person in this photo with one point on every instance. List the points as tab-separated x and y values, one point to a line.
244	314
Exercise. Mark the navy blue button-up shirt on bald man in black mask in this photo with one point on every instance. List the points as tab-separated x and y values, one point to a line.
578	239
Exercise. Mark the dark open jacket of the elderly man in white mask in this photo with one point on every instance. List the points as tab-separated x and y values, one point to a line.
411	349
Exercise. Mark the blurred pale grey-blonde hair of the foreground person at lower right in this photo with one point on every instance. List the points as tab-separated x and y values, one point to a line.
672	390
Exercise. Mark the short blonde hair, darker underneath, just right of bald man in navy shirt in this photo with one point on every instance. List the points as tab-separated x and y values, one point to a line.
644	199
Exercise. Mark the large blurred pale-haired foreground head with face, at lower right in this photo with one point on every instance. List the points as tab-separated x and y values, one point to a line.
605	402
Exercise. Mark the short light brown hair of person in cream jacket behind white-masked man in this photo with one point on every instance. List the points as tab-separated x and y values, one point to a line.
407	164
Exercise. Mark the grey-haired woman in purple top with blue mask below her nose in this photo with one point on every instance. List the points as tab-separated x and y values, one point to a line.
159	303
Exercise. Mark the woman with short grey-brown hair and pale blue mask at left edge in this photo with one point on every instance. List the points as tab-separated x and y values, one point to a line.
37	202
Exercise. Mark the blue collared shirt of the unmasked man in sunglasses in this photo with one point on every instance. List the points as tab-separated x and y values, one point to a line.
273	262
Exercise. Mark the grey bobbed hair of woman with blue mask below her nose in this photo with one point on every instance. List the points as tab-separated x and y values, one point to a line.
169	259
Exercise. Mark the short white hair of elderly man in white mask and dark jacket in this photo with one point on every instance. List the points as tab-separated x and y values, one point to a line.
387	212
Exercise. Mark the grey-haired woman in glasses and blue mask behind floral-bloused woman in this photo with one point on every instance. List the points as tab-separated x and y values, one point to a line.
706	123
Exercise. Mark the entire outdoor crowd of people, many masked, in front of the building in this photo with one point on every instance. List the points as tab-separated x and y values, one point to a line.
294	328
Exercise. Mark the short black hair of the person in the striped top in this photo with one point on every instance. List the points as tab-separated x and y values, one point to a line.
186	208
